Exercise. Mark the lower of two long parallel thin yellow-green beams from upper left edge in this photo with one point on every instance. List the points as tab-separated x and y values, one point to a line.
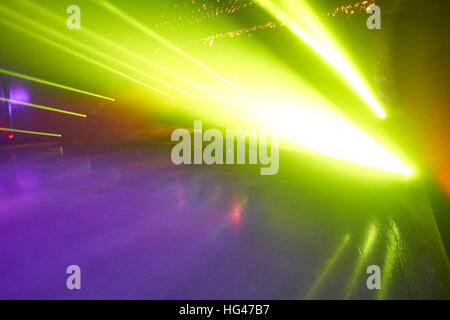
79	55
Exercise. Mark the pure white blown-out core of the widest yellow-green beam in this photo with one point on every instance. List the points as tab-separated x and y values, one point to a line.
334	136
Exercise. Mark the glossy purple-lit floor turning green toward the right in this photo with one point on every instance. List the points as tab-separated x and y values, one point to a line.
140	227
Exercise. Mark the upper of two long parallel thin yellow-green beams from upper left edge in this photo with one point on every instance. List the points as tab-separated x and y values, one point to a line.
85	47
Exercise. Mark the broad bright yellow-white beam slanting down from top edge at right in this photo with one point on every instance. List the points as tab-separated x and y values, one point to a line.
309	29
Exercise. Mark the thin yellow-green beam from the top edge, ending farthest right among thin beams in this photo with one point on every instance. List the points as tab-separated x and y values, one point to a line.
119	13
